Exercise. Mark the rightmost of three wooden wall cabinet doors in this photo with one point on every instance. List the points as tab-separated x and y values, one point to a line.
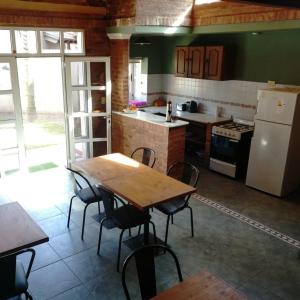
213	62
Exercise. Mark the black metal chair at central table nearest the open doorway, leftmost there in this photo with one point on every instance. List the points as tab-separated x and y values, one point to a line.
84	191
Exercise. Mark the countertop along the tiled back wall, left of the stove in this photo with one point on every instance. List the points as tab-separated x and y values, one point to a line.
196	117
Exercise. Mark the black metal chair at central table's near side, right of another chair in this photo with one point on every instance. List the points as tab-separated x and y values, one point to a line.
124	217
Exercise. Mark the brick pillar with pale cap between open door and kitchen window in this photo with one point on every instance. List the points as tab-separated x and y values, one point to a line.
119	70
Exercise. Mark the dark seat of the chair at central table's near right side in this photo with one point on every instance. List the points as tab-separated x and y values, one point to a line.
128	216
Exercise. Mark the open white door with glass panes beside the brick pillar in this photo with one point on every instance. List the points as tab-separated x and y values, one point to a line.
88	87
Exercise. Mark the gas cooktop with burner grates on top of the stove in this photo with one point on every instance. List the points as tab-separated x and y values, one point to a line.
233	129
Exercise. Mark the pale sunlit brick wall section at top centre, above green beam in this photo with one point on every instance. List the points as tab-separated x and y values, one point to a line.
164	13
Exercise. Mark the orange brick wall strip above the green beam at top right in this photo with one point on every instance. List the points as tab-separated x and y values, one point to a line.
235	13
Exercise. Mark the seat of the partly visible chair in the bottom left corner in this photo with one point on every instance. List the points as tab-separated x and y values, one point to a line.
21	283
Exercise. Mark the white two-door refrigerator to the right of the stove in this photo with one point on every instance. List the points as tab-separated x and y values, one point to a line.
274	161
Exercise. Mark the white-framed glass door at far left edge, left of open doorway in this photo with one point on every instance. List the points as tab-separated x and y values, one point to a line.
12	152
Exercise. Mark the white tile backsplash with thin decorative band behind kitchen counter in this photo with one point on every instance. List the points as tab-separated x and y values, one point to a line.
236	98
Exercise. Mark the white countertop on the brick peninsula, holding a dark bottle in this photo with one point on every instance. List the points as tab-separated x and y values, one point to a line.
154	119
